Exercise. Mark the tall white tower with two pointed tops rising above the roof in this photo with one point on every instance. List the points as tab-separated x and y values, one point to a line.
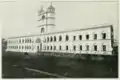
46	19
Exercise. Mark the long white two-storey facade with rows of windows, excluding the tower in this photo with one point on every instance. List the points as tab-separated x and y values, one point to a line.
41	41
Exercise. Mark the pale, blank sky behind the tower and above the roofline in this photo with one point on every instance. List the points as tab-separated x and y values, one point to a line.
19	17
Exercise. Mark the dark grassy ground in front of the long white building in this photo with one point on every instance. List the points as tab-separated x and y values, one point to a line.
69	67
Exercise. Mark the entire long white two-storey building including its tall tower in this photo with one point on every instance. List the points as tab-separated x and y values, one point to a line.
96	40
